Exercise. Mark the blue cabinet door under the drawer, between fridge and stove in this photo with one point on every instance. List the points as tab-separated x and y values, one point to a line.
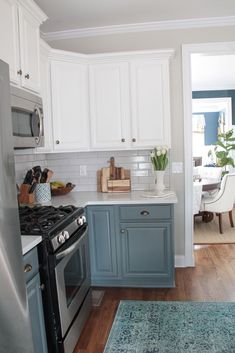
36	315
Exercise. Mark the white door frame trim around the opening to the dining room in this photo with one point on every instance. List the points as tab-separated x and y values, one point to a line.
187	52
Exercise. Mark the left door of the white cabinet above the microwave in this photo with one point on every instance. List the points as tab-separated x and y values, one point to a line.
9	37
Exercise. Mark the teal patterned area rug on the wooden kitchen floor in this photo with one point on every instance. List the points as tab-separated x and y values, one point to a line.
172	327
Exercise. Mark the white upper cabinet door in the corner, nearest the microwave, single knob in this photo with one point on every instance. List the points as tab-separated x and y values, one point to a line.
70	106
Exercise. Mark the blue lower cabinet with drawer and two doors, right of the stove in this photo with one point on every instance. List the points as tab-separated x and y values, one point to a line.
131	245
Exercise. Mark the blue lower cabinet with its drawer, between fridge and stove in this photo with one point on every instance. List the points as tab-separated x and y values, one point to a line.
34	297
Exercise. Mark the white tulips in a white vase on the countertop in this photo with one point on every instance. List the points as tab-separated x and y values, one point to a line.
159	161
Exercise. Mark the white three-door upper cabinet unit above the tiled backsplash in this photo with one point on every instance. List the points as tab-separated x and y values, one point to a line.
110	101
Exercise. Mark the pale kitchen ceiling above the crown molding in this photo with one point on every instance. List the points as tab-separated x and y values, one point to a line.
79	14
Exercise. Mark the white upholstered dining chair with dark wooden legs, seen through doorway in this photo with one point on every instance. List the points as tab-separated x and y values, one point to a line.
223	201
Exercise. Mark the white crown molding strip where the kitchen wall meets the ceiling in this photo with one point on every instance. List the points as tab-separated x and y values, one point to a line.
140	27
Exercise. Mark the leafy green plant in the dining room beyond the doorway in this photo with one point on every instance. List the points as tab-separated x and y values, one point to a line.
223	148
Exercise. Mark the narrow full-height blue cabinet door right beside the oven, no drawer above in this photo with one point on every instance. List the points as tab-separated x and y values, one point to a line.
102	240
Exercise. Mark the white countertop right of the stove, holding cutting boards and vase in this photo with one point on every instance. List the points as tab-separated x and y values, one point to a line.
82	199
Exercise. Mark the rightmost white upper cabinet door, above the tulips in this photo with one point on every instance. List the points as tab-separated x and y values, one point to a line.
150	103
